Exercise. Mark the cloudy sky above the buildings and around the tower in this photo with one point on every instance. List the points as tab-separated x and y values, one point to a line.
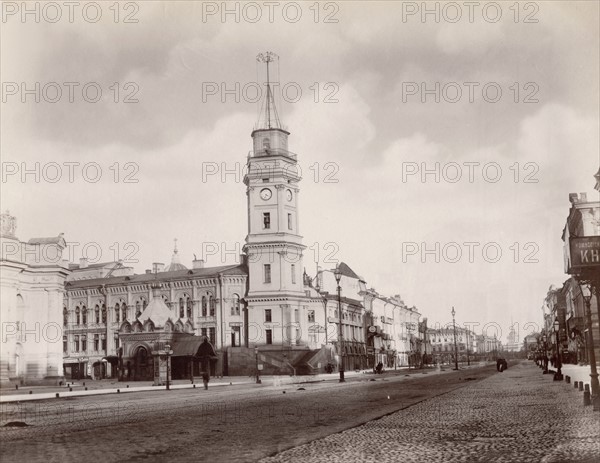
507	93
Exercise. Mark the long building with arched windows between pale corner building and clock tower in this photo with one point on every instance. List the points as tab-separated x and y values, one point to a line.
206	301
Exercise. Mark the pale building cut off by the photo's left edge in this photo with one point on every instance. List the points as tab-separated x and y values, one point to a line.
32	277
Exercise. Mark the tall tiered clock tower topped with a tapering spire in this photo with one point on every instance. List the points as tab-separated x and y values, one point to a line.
276	299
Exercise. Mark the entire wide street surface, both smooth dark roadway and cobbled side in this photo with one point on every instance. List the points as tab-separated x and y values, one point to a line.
474	414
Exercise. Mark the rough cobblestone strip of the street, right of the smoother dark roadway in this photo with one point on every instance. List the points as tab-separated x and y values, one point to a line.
520	415
